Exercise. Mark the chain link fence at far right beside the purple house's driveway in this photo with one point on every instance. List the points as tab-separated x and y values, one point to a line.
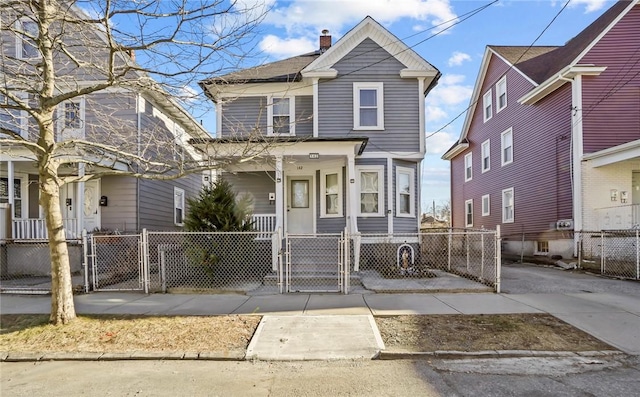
614	253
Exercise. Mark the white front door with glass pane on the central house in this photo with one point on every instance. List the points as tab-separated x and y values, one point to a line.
300	205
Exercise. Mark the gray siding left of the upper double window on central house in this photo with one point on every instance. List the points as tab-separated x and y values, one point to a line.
241	116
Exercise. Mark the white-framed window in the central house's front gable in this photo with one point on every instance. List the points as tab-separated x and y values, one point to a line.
368	106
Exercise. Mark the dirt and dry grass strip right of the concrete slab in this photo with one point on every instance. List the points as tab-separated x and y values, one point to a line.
484	332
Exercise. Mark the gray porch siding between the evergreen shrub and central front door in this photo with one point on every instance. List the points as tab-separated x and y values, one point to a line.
257	185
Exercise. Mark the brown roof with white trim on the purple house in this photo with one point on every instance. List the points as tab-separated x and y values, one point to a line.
541	64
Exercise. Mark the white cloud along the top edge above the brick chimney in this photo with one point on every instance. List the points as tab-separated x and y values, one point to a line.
300	15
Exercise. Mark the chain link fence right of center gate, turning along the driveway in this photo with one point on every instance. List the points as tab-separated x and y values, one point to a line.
472	254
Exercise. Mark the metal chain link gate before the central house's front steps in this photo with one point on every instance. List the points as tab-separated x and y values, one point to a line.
316	263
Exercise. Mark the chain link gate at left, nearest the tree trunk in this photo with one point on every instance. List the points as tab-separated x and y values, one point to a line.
117	263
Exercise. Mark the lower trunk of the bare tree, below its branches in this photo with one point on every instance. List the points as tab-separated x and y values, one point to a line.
62	307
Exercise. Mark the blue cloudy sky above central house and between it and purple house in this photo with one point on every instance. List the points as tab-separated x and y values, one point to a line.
293	27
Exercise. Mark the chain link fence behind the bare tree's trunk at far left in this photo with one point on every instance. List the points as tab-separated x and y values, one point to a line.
25	266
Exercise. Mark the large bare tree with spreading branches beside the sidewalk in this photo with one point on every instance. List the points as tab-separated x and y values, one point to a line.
106	53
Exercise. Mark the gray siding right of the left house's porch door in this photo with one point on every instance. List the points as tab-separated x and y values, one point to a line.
120	213
